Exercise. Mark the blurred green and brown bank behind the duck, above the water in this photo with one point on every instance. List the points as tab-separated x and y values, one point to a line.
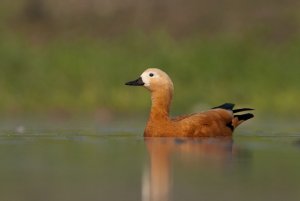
72	57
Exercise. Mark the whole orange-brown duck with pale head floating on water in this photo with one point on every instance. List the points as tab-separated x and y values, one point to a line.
217	121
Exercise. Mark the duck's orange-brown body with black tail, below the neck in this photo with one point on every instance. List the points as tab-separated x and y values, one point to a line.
215	122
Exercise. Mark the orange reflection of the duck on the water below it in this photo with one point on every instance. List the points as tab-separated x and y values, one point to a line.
157	180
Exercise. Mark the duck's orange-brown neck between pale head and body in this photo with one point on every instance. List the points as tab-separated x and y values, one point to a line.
160	108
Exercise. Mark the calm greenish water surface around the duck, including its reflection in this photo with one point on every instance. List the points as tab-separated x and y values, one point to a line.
109	164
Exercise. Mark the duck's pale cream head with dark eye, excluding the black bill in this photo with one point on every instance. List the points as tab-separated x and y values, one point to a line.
155	79
